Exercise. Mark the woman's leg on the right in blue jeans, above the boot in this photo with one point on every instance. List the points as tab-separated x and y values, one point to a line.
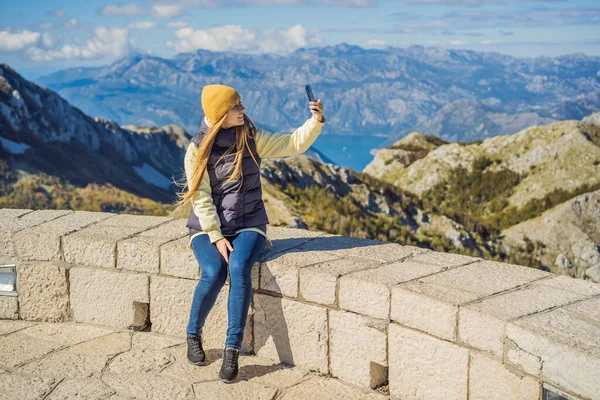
247	247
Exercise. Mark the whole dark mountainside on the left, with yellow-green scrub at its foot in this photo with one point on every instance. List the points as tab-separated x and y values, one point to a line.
54	155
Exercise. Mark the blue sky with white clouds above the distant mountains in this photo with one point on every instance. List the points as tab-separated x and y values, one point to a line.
39	37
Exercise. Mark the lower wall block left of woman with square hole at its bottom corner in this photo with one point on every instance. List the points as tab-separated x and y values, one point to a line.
109	298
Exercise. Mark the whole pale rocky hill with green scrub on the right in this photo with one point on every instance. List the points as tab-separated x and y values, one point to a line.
535	191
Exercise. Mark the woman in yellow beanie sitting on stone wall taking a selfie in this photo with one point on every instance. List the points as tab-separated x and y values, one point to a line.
228	218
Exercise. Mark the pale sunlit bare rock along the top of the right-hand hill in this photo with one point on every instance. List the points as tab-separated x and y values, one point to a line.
563	155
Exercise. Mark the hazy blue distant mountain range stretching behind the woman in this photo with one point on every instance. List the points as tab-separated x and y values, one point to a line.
458	95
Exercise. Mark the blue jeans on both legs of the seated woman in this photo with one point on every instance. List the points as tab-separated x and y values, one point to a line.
247	246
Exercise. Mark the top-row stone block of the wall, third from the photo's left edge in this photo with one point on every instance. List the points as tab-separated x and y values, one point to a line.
95	246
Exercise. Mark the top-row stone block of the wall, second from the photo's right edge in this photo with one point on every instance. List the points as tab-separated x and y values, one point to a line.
482	323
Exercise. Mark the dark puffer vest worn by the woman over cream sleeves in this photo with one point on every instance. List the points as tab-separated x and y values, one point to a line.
236	210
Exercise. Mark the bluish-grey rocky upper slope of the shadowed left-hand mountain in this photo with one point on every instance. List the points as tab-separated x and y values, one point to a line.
34	116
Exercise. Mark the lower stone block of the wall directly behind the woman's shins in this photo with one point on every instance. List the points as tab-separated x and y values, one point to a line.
170	305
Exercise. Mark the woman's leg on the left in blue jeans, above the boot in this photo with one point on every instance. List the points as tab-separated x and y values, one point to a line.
213	276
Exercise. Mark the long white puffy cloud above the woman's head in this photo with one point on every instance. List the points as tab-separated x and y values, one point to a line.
237	38
